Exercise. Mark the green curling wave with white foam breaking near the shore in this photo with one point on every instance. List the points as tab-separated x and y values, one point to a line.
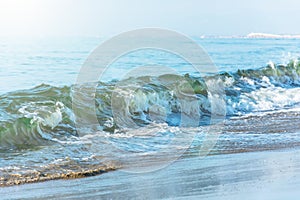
43	115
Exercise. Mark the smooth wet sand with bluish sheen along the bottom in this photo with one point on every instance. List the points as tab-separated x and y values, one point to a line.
255	175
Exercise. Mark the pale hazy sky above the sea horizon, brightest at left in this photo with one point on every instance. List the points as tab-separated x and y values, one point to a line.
192	17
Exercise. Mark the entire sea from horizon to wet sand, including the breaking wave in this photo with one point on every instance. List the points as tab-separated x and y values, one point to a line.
38	133
